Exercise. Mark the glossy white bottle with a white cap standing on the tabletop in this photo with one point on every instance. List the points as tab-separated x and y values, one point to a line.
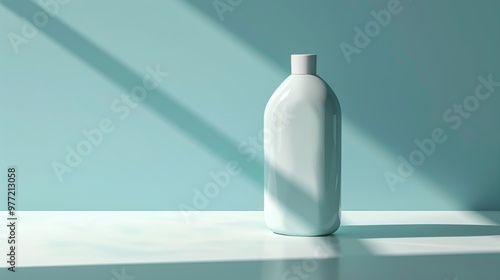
302	126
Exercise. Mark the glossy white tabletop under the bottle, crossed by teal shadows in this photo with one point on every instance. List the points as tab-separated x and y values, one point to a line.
121	245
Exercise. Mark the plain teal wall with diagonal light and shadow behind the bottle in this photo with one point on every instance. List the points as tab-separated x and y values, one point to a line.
224	59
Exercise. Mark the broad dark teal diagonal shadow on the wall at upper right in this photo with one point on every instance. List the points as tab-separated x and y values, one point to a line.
413	79
